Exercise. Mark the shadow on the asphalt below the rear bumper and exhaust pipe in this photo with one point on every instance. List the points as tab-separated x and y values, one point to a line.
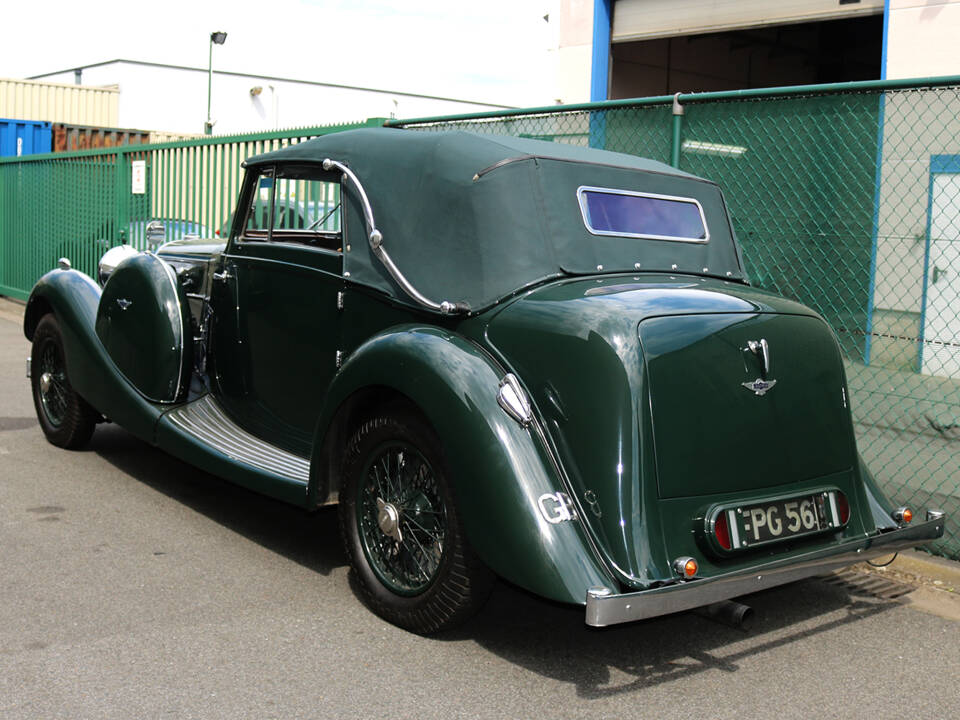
552	640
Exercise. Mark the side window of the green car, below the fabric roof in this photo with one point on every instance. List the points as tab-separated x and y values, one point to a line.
298	204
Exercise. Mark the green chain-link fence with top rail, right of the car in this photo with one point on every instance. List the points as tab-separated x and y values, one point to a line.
846	198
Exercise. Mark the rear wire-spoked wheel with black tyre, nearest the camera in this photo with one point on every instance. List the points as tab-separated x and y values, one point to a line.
401	529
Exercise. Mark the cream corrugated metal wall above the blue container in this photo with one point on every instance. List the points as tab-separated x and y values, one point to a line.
53	102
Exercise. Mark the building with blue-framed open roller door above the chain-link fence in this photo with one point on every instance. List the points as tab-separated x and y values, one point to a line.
611	49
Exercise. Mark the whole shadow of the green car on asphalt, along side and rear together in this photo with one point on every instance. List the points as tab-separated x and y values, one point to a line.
544	637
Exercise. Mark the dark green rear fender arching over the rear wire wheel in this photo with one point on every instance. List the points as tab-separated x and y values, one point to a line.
500	470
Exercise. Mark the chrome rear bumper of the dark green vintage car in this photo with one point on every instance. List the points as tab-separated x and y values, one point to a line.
604	607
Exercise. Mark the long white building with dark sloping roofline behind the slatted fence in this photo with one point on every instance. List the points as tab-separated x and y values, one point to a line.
175	100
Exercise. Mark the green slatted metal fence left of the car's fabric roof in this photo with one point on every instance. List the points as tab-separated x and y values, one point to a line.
79	204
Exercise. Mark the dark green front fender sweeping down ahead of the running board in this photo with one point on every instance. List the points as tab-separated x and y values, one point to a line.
73	297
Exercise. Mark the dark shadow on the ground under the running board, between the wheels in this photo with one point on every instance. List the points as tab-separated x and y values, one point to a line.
310	539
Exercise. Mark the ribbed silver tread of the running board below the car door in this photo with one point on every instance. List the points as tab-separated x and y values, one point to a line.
206	421
